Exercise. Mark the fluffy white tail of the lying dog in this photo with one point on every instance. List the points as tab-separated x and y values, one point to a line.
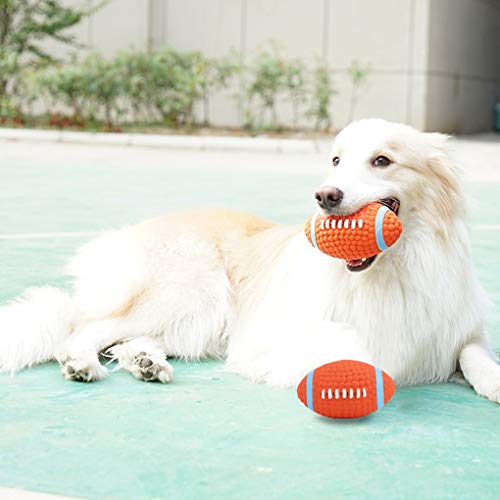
33	326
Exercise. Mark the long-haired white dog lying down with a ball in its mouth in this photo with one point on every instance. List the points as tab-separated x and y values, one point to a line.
220	283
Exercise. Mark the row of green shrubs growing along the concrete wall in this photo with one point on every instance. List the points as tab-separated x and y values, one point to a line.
166	86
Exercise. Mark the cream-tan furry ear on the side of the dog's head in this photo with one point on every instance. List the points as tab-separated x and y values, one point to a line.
445	178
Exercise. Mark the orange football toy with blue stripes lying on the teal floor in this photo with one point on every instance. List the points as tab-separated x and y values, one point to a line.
346	389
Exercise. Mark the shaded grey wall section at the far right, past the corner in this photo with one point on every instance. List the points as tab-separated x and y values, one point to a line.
463	72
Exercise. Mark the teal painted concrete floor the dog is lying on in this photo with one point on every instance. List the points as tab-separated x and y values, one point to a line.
210	434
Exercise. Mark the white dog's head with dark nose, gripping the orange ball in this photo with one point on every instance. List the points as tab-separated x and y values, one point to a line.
409	171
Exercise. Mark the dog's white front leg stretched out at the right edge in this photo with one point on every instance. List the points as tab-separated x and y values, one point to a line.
480	369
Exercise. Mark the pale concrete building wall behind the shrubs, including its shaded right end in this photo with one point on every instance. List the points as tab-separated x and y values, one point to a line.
433	63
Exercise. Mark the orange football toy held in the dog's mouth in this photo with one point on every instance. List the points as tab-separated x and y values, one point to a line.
363	234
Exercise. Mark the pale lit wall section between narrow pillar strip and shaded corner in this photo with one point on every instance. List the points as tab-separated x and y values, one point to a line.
334	31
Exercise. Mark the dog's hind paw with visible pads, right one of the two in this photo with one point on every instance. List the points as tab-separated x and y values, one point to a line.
144	358
